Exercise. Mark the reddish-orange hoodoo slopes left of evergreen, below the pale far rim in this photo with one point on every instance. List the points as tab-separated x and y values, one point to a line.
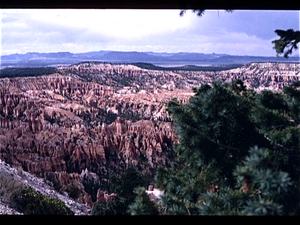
64	125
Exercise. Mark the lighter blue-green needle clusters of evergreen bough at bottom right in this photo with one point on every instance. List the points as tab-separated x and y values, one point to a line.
269	186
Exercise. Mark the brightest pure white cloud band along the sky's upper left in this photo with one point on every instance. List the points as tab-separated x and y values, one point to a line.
113	23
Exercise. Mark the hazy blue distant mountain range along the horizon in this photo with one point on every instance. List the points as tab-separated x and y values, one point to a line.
159	59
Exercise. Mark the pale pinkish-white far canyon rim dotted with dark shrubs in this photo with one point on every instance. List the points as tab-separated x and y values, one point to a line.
257	75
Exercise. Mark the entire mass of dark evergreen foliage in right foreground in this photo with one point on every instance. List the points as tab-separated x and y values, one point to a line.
246	144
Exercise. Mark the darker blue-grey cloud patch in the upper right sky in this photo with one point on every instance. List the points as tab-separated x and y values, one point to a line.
261	23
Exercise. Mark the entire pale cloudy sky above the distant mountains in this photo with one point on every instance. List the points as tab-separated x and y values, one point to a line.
241	32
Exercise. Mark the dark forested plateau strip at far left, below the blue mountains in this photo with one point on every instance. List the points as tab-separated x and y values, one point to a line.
27	72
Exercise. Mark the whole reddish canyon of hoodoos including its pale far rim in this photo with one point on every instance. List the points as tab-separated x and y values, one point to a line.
92	119
